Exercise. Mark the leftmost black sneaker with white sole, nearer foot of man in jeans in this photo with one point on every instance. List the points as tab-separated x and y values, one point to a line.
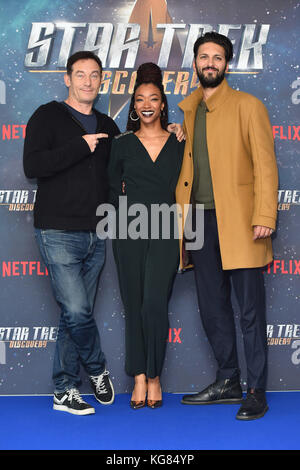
71	401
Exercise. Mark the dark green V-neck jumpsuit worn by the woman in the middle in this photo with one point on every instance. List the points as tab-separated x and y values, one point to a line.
146	267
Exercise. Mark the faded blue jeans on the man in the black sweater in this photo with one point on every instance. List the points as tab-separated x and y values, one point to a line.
74	260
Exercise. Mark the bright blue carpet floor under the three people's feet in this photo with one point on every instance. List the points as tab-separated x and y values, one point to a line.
29	423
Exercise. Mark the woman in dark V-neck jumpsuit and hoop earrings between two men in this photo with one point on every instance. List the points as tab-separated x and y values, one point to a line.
145	166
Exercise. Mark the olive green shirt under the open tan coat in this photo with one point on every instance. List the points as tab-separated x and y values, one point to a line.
202	192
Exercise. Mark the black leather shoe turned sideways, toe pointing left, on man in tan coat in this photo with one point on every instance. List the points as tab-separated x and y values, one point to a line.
226	391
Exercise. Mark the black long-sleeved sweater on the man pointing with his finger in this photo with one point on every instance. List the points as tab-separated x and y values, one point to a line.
71	180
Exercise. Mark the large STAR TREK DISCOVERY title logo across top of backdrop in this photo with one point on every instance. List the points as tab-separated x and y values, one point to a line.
150	35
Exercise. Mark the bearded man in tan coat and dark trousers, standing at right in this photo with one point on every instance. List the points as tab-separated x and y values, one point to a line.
229	166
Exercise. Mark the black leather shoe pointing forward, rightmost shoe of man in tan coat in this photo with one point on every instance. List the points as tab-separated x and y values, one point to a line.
254	406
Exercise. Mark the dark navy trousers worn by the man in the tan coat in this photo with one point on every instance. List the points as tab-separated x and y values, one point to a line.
214	297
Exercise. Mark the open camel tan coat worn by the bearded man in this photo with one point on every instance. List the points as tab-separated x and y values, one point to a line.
243	170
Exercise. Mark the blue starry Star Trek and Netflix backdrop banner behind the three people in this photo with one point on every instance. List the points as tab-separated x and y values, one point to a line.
36	38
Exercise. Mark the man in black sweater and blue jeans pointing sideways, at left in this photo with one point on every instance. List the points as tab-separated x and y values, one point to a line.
66	148
